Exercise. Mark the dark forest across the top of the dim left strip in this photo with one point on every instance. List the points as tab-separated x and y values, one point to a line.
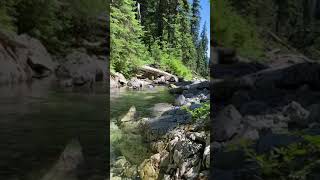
61	25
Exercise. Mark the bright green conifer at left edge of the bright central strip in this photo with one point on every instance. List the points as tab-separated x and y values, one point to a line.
127	50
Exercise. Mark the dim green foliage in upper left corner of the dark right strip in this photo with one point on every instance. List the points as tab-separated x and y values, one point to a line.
232	30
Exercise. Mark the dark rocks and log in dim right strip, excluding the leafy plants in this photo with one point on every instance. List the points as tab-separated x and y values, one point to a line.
263	107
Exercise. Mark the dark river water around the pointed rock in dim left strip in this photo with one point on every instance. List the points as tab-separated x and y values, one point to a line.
38	120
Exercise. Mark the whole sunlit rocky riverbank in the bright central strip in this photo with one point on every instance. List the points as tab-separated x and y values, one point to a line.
178	140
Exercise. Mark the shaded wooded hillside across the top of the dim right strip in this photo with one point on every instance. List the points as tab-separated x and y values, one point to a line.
287	24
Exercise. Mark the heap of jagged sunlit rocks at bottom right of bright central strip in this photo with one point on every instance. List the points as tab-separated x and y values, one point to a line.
181	155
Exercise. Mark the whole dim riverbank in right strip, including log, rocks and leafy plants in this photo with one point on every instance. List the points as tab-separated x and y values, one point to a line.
265	123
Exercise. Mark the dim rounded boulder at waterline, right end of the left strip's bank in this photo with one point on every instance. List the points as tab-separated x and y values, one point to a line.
82	69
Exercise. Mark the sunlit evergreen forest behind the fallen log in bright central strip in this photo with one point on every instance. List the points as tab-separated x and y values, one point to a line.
162	33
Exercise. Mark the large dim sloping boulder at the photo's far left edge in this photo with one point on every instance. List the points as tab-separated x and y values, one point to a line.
23	58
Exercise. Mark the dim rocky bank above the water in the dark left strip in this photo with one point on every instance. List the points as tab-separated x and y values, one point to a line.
24	58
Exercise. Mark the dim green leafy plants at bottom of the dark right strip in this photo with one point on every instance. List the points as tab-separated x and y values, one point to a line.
285	162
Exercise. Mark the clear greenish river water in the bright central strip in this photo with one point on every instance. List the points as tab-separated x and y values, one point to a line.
130	144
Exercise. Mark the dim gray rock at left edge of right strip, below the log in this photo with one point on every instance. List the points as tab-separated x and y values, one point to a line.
227	123
